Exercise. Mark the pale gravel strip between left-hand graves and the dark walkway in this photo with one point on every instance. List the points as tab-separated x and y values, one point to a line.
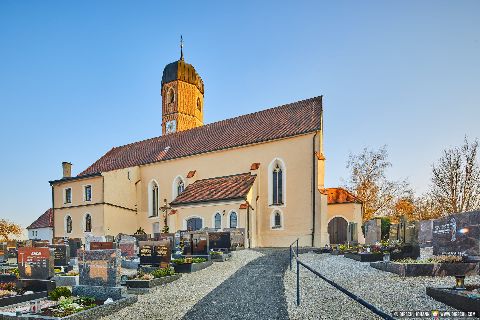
173	300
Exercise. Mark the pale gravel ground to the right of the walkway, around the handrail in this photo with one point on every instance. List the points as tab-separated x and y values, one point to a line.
387	291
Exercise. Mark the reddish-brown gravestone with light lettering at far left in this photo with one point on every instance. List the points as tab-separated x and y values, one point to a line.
35	263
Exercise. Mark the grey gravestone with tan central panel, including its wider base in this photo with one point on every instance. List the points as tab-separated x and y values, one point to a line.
99	274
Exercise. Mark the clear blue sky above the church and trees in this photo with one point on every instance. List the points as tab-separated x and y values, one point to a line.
80	77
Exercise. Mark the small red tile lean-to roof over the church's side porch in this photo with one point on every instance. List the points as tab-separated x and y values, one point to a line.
216	189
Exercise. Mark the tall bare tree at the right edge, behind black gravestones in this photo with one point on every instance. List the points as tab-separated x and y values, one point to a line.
456	179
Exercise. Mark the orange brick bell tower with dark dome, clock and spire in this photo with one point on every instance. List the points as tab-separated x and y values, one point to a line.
182	96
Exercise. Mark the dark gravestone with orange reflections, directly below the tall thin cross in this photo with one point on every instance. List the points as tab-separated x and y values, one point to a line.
156	253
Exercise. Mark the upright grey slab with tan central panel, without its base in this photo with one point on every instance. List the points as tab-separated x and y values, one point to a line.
99	267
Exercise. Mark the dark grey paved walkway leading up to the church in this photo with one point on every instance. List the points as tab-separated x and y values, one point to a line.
255	291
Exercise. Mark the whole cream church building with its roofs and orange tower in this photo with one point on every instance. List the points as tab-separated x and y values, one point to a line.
263	172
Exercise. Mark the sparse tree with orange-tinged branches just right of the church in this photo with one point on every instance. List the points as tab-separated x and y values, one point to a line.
370	184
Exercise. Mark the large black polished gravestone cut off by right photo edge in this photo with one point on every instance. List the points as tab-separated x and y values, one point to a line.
457	234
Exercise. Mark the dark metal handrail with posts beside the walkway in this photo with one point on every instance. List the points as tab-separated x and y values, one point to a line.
332	283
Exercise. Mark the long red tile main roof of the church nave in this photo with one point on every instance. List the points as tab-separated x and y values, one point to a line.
284	121
